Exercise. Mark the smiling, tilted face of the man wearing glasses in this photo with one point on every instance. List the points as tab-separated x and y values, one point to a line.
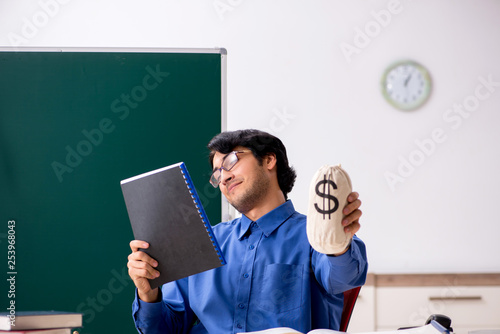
246	183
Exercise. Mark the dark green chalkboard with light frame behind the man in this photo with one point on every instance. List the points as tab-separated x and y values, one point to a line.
73	123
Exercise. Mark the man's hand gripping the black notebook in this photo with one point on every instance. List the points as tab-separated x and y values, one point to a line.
140	269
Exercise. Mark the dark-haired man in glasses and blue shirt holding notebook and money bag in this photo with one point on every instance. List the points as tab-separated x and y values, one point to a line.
273	278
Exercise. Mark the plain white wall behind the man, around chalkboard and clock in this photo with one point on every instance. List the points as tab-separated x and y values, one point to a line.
287	74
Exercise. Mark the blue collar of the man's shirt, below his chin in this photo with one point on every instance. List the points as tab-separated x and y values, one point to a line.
270	221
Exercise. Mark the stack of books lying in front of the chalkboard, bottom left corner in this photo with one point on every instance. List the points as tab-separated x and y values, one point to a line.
40	322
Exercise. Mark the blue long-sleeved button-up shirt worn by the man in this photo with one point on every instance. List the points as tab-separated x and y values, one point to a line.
273	278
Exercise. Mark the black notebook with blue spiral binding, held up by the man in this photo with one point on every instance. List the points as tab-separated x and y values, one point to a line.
165	210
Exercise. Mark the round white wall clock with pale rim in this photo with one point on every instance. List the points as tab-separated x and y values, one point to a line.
406	85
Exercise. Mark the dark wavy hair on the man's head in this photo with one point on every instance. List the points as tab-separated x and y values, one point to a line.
261	144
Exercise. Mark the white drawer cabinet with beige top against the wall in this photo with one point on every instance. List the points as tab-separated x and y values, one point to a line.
391	301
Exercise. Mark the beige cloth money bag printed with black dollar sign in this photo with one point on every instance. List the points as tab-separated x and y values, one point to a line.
328	194
